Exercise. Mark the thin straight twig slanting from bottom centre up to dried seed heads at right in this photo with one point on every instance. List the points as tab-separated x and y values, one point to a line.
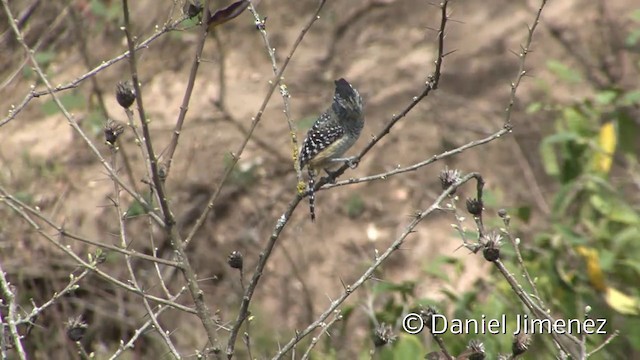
349	289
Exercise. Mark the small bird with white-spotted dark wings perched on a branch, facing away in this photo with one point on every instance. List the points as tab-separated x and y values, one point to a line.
333	133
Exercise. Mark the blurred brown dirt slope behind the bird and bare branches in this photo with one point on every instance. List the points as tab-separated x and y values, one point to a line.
387	51
